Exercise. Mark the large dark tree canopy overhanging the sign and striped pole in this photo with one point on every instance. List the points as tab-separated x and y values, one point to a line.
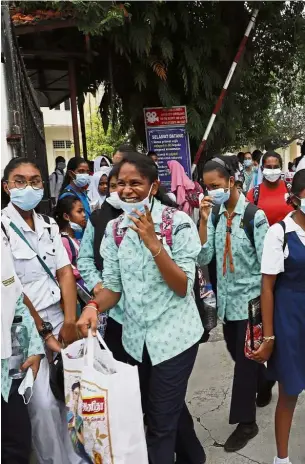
163	53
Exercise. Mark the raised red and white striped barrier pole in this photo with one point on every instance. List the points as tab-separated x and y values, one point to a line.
224	89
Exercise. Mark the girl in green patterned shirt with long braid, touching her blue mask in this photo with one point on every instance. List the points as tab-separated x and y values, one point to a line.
238	251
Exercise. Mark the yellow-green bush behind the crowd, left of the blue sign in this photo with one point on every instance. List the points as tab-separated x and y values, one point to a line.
99	142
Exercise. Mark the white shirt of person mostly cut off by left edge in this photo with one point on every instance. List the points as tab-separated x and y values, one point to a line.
11	290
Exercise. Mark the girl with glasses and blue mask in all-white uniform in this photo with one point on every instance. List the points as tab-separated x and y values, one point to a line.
43	267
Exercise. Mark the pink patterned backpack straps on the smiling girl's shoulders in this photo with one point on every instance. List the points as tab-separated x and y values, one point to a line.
166	227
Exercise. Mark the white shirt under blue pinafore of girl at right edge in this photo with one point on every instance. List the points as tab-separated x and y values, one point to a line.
273	255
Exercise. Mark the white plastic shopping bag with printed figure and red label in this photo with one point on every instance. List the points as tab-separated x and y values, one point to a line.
103	401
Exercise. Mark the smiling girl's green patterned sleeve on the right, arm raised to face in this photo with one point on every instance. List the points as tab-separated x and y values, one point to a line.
186	246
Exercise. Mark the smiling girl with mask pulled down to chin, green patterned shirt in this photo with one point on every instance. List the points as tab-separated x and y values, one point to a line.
161	323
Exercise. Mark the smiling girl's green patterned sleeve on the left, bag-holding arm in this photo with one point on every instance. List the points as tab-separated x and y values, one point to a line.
109	252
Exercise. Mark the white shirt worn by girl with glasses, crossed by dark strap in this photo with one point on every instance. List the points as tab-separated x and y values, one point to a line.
46	241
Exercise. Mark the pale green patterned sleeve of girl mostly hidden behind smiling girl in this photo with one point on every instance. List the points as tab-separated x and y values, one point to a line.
85	262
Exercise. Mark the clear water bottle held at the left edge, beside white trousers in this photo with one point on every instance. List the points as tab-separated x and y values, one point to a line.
20	343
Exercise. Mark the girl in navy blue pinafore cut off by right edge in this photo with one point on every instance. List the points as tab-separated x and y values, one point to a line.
283	311
